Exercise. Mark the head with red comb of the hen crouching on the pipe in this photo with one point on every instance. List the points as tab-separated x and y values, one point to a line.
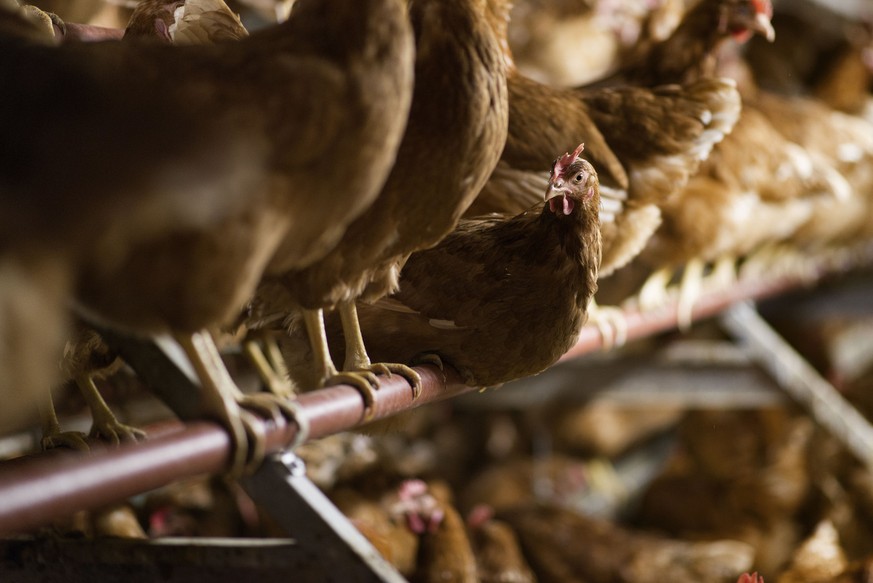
572	182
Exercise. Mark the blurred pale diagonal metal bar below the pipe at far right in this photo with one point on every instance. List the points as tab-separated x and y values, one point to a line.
799	379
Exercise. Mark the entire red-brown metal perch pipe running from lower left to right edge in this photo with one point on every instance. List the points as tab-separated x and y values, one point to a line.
37	489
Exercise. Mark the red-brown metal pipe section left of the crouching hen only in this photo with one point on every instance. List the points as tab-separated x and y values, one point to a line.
36	489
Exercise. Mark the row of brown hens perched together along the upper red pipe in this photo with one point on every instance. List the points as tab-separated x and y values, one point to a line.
385	182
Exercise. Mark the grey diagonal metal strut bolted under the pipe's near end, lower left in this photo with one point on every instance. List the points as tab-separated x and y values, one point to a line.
281	487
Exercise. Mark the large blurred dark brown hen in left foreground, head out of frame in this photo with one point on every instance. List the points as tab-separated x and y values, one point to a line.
226	158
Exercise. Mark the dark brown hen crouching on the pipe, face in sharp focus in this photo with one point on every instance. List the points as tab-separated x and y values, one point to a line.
500	297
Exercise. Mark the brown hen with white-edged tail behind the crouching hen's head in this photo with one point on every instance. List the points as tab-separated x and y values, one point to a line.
644	142
